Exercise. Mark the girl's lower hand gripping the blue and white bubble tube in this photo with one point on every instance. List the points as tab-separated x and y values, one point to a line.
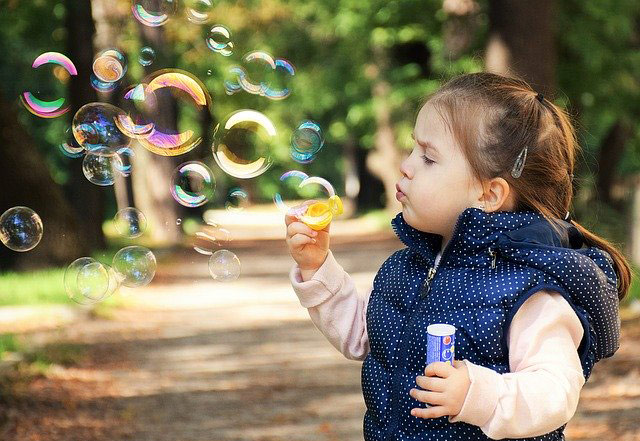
445	389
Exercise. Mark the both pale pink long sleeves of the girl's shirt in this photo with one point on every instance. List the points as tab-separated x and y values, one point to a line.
543	339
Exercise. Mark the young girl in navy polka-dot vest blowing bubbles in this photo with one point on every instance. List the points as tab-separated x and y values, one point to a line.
534	298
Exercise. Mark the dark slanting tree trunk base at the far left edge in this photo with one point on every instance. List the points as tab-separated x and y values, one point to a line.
26	181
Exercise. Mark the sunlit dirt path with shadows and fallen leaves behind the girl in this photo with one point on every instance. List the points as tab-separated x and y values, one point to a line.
196	360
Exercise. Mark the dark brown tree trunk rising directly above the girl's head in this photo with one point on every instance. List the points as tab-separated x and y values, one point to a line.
522	42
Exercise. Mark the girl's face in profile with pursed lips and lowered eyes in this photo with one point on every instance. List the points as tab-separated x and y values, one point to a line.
437	184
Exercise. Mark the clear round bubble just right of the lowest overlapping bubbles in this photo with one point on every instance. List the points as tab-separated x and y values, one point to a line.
135	266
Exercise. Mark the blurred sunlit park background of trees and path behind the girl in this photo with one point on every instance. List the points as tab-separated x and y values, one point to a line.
187	357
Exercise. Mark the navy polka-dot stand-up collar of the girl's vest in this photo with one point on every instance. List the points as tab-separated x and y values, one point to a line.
476	230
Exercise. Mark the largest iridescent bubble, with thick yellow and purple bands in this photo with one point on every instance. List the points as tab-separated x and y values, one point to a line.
172	87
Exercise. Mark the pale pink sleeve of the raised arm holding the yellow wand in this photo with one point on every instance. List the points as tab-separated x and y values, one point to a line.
335	307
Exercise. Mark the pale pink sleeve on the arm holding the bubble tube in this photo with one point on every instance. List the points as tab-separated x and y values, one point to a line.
542	390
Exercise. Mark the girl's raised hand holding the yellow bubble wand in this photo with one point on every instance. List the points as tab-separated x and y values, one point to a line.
309	248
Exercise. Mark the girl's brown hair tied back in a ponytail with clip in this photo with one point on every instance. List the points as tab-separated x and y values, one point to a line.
493	118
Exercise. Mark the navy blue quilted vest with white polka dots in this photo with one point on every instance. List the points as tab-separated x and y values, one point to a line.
492	264
